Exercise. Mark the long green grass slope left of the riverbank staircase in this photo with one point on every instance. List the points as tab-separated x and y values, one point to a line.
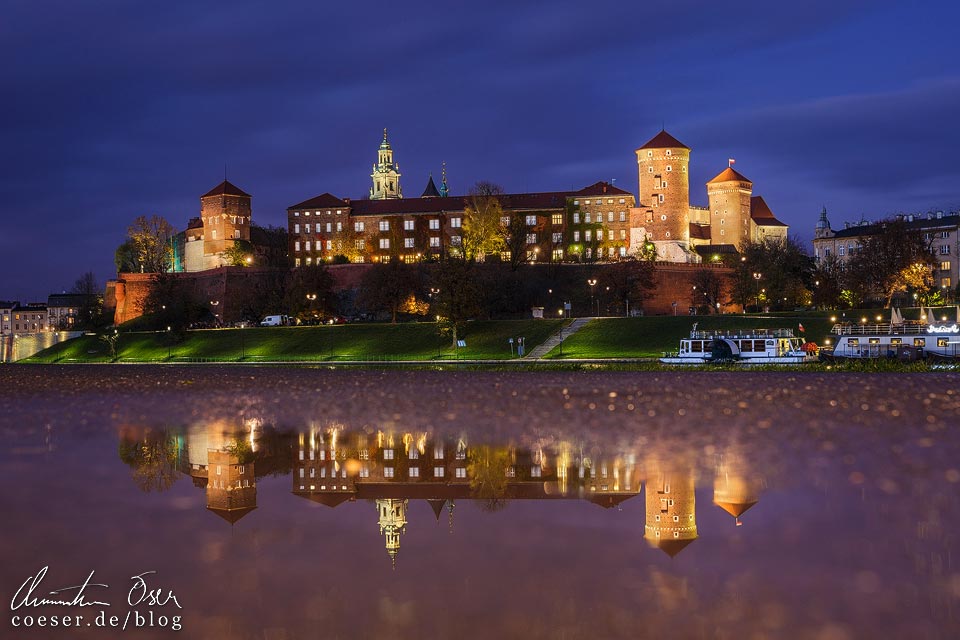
419	341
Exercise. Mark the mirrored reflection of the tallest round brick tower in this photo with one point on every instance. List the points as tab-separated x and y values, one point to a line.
671	519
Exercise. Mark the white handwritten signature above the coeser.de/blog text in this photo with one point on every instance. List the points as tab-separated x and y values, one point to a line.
140	593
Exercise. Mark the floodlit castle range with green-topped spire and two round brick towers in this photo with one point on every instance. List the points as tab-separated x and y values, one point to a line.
598	222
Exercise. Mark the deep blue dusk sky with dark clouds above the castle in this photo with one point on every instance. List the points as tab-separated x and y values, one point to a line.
112	109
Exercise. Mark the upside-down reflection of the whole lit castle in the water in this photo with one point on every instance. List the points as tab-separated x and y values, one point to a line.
331	465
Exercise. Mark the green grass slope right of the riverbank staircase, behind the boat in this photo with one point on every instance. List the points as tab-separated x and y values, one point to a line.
651	336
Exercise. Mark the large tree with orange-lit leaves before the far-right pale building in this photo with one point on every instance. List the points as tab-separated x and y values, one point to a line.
890	260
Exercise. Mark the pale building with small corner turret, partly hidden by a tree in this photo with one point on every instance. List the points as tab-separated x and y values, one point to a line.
939	230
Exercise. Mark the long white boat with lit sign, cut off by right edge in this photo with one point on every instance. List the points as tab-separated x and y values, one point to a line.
897	339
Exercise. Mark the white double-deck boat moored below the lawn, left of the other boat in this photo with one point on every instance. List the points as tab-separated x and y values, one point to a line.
746	346
